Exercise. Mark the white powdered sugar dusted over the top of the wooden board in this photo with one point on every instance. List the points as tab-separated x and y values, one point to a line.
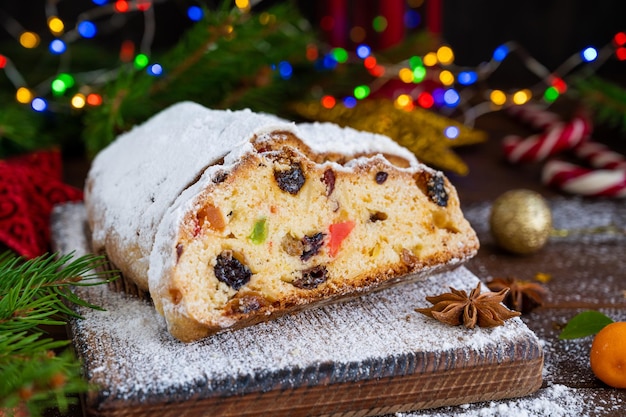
132	357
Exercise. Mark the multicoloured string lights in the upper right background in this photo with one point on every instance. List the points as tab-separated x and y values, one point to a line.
461	88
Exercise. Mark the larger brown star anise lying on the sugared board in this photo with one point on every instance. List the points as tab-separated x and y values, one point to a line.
456	307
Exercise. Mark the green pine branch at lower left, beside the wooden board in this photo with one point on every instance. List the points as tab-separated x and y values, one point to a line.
36	293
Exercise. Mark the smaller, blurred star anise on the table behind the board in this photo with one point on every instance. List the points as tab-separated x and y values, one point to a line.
524	296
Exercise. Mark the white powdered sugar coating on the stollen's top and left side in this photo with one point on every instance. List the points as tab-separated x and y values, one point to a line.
146	169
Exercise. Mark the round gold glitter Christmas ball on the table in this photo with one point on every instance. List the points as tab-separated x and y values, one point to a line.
520	221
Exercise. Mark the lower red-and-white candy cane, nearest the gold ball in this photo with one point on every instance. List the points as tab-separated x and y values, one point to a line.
575	179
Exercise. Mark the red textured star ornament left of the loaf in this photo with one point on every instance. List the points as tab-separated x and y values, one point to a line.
30	186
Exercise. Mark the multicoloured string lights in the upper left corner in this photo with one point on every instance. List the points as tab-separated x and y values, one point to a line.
104	17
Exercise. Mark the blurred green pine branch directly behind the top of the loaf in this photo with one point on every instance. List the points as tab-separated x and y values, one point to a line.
216	63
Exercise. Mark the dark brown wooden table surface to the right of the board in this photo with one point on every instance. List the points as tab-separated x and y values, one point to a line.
580	278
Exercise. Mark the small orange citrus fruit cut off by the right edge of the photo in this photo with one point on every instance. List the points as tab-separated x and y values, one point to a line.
608	354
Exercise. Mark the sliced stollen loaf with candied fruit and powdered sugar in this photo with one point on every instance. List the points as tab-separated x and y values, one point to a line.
231	218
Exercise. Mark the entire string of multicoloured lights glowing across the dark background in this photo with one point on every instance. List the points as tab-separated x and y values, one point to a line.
431	81
